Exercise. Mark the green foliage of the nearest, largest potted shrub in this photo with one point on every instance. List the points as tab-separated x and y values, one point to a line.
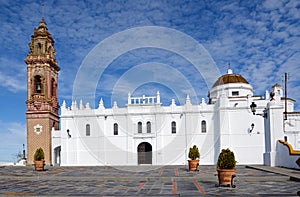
226	159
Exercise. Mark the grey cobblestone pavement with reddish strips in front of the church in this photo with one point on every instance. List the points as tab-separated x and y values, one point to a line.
141	181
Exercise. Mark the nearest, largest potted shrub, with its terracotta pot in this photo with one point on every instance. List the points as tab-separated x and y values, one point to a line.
226	167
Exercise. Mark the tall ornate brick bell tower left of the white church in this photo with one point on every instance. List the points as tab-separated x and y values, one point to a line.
42	92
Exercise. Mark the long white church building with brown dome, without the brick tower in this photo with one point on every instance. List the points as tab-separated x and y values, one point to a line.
147	132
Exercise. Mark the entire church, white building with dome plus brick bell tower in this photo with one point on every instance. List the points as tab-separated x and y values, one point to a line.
147	132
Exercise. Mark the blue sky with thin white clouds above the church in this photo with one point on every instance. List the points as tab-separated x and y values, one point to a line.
260	39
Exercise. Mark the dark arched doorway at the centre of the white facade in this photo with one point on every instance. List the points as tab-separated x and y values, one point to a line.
144	150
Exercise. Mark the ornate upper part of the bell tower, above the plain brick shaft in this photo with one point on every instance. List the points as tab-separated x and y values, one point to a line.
42	71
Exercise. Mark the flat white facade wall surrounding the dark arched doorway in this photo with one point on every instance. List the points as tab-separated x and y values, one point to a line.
104	148
